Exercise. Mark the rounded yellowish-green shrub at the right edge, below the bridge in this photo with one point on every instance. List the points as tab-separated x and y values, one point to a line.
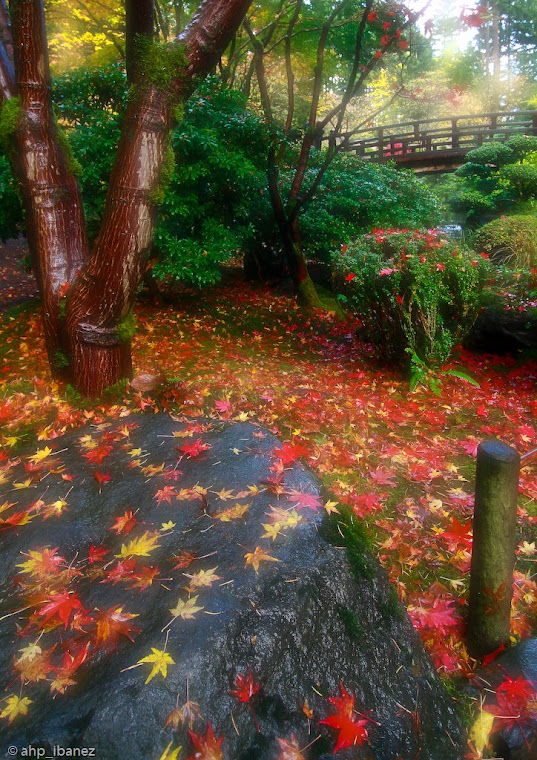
511	240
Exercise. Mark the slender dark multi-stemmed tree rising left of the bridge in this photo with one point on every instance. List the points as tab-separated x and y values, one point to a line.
374	33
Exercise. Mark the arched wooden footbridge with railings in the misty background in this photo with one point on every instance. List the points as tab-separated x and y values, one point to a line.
434	145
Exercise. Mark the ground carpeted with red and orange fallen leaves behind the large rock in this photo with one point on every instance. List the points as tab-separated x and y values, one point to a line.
403	462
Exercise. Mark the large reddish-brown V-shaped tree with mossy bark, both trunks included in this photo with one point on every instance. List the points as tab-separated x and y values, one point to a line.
89	329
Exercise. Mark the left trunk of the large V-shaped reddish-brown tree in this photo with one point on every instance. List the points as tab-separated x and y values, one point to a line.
54	211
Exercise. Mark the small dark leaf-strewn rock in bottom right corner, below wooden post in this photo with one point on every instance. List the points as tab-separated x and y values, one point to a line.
517	741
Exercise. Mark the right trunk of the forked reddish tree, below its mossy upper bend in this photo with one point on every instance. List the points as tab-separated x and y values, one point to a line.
99	302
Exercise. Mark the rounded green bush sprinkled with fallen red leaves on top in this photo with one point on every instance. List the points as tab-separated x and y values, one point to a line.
416	293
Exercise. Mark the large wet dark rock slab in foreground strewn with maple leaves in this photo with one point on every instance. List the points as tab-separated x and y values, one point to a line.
303	624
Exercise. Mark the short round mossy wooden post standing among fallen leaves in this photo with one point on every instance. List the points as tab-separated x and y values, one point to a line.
494	544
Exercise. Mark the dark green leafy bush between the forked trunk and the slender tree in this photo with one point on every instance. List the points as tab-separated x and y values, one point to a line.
216	202
